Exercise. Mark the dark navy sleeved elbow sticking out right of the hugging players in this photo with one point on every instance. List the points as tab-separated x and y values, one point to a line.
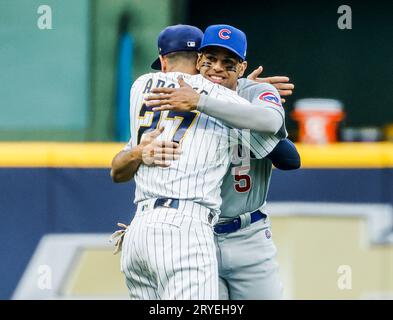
285	156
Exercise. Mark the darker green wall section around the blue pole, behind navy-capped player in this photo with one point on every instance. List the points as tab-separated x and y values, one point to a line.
147	19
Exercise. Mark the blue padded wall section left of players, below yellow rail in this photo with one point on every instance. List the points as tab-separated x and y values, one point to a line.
36	201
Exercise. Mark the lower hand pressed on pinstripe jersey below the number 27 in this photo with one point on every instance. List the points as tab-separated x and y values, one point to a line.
156	152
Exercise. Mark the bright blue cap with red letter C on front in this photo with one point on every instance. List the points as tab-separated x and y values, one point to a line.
226	36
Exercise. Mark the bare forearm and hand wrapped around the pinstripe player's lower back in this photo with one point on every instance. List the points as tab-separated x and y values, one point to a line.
150	152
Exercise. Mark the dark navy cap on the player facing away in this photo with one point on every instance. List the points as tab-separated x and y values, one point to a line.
180	37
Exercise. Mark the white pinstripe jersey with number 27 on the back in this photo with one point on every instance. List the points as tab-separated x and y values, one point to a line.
205	143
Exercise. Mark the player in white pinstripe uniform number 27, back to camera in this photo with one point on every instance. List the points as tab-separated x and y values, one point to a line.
168	250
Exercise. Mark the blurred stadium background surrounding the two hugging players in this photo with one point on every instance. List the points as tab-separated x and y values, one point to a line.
66	69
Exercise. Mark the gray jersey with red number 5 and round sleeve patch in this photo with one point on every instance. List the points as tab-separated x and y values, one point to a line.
246	184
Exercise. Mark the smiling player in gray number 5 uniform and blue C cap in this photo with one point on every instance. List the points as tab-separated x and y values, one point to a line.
245	249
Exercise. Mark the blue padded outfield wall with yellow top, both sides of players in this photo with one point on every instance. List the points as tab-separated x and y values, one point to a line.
38	200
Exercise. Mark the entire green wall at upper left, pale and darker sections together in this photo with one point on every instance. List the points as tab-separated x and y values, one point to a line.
60	84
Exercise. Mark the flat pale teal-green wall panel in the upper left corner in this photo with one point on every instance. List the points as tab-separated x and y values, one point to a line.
44	73
